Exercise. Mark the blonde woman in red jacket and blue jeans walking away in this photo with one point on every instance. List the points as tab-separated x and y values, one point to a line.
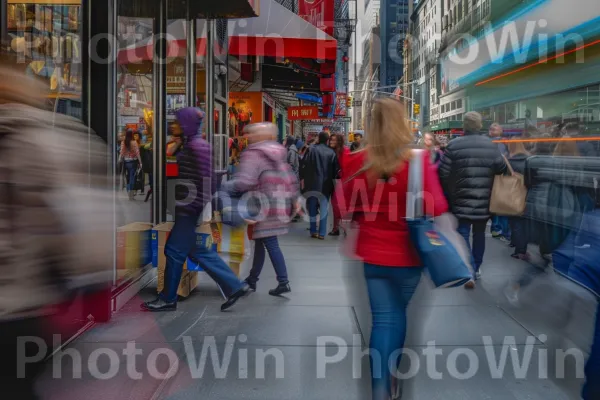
392	266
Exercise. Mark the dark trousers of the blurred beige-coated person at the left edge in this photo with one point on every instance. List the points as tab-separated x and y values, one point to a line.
18	376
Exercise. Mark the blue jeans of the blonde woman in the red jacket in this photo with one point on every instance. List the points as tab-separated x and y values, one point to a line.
390	290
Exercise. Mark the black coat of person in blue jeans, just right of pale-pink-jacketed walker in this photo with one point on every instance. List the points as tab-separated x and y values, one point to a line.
320	167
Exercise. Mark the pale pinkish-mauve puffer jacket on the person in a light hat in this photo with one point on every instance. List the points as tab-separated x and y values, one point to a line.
263	169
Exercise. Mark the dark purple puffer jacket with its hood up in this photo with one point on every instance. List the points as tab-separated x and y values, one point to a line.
196	172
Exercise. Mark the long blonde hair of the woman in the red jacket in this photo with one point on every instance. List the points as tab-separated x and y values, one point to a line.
389	137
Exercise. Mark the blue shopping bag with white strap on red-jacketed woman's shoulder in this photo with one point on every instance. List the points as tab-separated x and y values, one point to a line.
437	251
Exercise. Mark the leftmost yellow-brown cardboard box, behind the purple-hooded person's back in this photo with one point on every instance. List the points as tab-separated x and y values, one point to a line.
133	246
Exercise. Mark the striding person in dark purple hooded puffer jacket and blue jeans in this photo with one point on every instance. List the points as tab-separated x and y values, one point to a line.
194	190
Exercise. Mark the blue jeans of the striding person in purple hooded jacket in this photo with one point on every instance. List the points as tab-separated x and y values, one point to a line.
182	244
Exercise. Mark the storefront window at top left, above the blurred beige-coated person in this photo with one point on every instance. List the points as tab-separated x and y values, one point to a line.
44	40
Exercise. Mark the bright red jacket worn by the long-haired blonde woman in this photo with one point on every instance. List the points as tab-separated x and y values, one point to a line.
380	211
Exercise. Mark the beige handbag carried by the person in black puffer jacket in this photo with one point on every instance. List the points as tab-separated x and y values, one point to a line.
509	194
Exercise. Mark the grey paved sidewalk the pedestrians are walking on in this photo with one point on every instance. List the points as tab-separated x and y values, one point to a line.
328	299
